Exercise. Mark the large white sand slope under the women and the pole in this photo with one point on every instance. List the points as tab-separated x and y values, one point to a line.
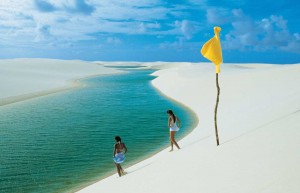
258	120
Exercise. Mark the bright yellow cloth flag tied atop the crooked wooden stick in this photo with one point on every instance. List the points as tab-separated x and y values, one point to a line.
212	49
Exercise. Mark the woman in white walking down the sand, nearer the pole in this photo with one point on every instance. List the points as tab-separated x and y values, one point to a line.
172	124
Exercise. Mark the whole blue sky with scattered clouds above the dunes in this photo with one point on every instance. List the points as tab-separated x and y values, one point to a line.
150	30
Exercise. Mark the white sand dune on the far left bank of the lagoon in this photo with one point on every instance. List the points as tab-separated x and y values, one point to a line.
27	78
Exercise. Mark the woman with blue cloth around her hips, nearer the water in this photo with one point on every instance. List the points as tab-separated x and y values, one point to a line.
119	154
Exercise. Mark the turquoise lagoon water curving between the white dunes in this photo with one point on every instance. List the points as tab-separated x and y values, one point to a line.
64	141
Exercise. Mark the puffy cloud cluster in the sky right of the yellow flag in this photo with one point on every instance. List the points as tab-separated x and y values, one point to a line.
266	34
